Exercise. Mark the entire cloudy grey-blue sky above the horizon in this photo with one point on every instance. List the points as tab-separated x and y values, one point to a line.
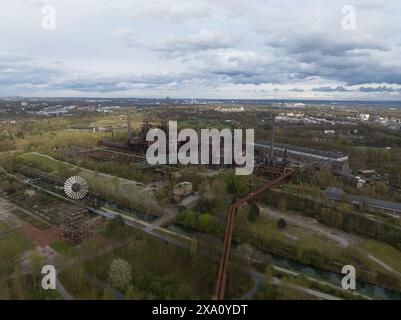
254	49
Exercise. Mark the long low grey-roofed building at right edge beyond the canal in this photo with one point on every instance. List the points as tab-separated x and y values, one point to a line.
373	205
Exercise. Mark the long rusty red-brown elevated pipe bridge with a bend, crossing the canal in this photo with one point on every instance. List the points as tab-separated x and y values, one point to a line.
222	273
